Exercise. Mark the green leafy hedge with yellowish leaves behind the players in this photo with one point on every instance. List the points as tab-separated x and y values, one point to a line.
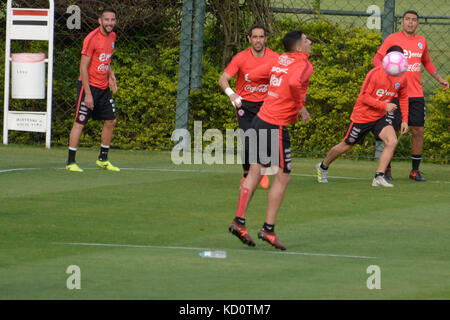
147	81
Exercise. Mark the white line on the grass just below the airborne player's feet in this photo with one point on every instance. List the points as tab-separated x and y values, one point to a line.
201	249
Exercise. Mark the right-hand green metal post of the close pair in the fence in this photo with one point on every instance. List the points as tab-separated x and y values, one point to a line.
197	44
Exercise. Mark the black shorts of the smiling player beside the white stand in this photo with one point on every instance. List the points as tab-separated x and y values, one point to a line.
104	106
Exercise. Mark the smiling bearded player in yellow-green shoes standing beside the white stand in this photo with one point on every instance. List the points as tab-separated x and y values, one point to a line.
94	96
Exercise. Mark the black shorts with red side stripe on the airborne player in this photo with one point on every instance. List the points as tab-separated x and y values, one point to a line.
273	147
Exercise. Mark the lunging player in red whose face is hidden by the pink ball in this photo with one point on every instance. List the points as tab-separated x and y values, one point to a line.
373	111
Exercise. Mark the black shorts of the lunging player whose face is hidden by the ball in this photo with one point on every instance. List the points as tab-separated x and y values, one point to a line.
357	131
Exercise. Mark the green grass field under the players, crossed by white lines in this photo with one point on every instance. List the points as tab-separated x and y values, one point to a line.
146	225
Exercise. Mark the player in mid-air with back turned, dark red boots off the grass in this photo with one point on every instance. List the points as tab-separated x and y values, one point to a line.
289	79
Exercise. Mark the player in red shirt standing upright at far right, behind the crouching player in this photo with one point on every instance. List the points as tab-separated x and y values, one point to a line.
416	51
